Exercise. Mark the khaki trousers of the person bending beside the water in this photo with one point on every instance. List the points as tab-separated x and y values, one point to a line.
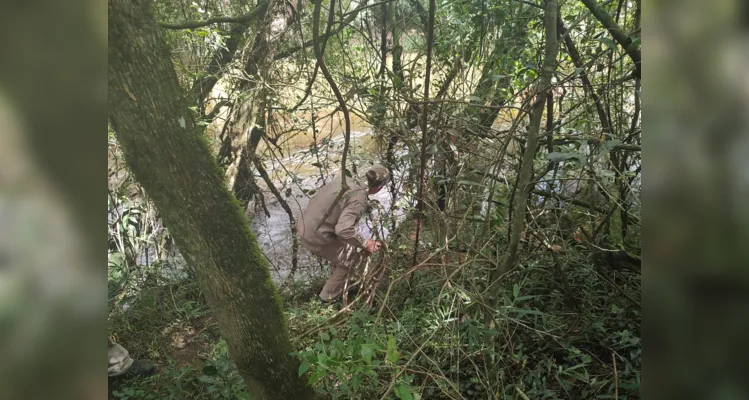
344	257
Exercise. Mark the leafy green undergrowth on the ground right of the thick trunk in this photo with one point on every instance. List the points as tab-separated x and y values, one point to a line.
433	342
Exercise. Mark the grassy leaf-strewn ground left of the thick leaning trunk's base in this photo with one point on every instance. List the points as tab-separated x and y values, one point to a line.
167	323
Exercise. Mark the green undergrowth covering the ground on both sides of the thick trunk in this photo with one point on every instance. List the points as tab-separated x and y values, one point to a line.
549	341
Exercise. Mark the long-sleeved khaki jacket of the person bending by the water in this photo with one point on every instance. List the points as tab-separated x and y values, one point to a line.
341	224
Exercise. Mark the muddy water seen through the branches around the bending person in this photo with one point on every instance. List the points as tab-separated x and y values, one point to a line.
295	178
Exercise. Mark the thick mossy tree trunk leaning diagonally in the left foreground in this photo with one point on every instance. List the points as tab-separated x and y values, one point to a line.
172	160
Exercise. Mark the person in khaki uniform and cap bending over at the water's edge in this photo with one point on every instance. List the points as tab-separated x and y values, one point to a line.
338	239
